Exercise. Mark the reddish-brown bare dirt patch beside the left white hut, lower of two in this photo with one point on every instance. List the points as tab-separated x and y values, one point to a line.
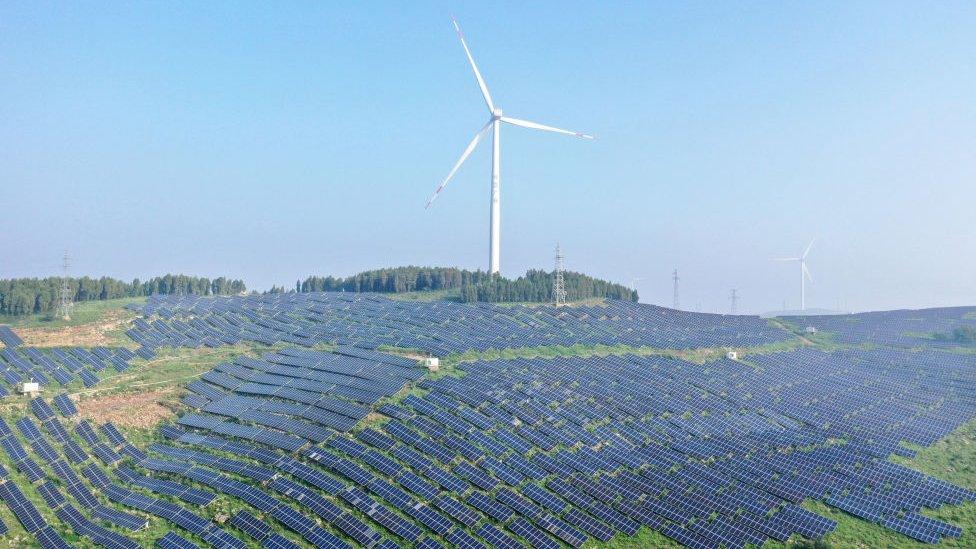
141	410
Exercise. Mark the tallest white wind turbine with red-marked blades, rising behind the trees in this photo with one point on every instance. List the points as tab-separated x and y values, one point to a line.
494	122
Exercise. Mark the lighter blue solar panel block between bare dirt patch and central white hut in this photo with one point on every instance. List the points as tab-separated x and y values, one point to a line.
295	396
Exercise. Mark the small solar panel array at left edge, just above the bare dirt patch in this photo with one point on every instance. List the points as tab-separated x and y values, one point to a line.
59	366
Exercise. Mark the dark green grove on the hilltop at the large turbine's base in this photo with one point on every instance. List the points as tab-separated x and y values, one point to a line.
471	286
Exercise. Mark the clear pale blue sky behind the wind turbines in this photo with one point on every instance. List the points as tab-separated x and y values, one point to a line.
274	142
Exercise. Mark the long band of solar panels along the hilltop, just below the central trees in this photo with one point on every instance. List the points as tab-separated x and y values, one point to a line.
440	327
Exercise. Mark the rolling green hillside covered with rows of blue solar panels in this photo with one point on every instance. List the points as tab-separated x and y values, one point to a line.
319	419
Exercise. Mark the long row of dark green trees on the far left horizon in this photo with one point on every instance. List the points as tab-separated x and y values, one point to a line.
21	296
